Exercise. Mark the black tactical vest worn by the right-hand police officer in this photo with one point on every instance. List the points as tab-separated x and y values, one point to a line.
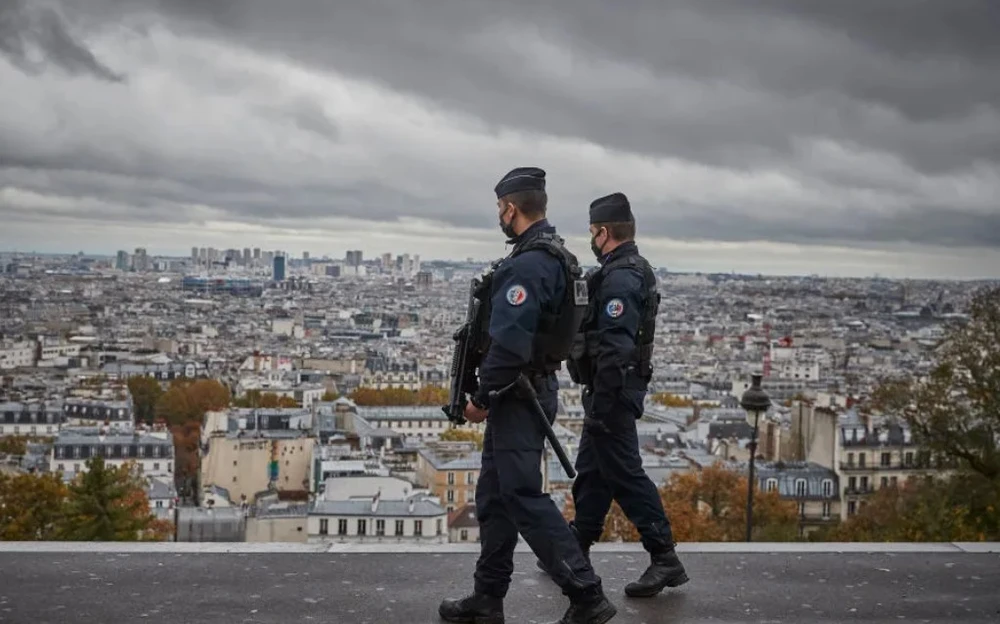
583	359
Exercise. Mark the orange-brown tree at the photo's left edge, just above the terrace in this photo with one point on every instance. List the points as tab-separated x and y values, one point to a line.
31	506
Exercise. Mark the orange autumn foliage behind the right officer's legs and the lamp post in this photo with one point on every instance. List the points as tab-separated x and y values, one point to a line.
710	506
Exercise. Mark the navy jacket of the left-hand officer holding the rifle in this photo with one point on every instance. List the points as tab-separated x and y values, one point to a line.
523	286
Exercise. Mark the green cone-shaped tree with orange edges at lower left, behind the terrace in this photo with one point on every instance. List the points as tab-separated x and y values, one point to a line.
106	503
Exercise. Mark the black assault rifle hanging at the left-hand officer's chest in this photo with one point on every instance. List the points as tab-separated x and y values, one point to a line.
466	357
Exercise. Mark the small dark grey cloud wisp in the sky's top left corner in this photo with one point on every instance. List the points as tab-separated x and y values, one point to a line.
24	28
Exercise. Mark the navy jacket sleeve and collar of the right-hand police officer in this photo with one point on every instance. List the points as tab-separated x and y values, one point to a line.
619	303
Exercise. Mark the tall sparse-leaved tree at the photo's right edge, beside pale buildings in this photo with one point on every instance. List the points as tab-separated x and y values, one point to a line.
955	411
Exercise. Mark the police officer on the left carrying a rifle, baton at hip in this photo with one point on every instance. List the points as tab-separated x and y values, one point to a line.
529	302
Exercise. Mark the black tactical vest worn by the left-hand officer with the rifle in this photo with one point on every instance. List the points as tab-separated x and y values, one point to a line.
557	328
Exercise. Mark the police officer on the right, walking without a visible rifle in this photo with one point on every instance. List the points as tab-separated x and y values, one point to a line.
613	364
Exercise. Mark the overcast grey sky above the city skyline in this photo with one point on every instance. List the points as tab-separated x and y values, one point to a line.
833	138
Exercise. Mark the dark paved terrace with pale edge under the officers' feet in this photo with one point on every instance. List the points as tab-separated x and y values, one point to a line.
201	583
